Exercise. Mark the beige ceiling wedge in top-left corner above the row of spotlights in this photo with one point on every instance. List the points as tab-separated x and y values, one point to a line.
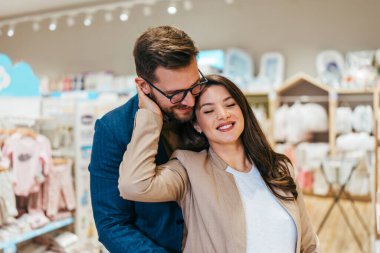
16	8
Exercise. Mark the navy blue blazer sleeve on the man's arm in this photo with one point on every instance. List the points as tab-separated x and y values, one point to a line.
114	216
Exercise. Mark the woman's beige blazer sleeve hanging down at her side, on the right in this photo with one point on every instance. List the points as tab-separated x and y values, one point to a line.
309	239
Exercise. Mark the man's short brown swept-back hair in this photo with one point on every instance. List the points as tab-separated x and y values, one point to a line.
164	46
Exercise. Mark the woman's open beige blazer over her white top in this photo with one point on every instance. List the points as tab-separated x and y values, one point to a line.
207	194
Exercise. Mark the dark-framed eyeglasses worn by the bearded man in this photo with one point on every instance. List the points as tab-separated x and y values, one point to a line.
179	96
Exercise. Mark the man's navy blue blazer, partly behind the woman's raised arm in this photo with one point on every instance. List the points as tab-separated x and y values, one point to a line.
126	226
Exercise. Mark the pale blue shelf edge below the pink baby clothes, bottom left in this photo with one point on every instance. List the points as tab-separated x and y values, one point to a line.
10	245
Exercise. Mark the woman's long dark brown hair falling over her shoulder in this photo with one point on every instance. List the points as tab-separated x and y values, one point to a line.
272	166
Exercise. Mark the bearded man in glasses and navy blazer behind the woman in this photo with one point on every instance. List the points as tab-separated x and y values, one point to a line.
167	71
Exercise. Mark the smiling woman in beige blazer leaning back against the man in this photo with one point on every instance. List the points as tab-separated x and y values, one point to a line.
237	195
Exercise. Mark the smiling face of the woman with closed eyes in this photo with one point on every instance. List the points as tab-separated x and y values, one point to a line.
219	117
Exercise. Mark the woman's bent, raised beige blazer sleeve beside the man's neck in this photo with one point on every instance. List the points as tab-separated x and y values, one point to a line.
140	178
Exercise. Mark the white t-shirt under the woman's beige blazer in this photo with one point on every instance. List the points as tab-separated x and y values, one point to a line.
270	228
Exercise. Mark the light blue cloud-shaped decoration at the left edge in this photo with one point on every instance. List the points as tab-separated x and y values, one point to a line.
17	80
